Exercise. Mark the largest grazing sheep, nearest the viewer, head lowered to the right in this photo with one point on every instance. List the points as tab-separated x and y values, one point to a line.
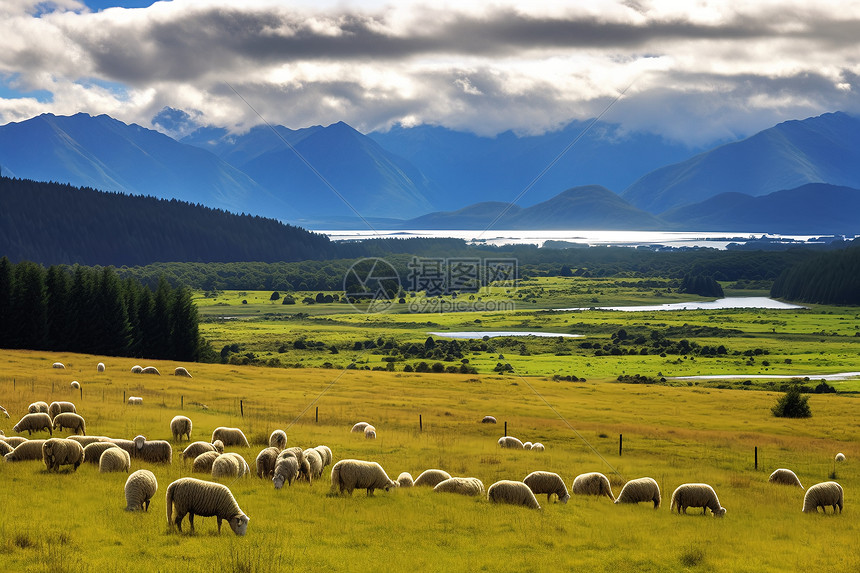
196	497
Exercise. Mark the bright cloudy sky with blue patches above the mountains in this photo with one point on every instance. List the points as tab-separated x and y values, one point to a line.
694	71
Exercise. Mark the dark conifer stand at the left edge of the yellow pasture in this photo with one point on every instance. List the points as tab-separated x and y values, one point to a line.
91	310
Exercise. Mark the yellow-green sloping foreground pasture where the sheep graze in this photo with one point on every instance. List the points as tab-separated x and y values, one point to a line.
75	521
